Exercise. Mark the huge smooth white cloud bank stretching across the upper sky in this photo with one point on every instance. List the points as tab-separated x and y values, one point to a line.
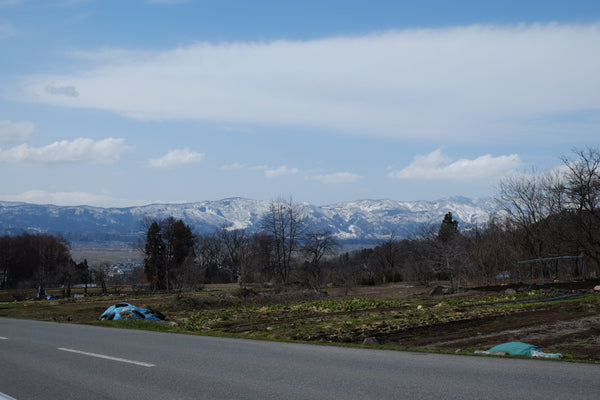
416	83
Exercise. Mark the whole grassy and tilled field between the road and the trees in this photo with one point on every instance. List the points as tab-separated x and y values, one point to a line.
398	316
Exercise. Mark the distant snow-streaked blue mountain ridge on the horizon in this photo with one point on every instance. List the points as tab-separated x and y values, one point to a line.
361	221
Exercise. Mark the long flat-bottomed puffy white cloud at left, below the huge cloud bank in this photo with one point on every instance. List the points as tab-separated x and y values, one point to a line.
82	150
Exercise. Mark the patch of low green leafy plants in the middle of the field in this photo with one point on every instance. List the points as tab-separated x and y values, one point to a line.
343	320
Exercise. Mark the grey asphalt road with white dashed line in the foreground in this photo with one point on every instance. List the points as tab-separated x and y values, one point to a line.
44	360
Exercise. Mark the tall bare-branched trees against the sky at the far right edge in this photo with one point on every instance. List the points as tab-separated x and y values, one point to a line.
557	212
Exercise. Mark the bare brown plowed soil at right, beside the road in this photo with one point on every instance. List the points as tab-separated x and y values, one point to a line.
566	327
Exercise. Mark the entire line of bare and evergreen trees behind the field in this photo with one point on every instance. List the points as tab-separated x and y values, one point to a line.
540	215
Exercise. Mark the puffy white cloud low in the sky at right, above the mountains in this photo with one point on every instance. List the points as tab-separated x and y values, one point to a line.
437	166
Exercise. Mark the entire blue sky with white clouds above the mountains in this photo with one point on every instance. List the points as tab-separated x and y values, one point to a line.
128	102
